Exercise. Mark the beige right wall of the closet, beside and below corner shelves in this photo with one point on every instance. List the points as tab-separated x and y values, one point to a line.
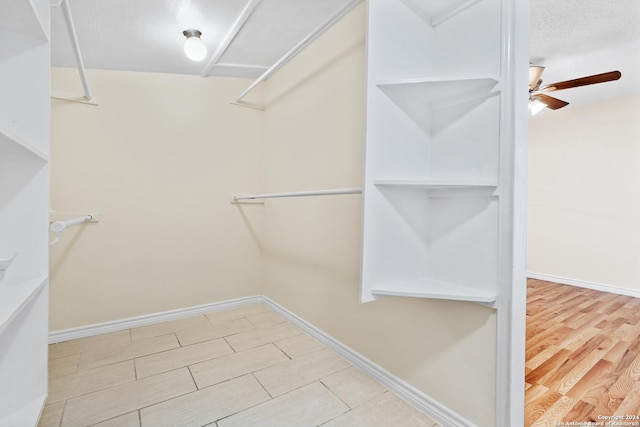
313	139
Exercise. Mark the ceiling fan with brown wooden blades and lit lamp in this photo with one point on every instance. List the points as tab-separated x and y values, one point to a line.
538	100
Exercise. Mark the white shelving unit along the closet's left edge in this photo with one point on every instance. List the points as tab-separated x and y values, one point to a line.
24	197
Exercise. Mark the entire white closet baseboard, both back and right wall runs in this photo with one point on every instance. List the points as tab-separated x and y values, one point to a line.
415	397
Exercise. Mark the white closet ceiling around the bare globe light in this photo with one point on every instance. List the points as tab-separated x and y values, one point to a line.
146	35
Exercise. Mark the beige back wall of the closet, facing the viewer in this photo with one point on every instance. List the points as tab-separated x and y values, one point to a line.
159	159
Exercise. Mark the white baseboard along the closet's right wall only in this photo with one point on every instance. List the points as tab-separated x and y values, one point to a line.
415	397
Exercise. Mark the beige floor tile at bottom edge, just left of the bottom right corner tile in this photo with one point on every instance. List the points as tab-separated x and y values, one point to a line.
307	406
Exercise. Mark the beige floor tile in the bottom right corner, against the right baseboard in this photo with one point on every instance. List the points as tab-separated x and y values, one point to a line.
386	410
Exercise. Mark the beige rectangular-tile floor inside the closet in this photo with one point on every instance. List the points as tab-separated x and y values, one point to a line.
242	367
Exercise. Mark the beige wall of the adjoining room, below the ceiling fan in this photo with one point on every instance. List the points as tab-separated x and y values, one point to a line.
584	193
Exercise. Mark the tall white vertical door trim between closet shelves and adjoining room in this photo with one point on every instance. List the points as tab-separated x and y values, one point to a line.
512	220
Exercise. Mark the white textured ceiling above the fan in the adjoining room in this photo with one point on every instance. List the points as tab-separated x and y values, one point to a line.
576	38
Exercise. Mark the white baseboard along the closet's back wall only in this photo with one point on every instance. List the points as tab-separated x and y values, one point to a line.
134	322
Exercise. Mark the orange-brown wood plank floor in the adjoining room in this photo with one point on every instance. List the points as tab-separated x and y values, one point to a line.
582	357
